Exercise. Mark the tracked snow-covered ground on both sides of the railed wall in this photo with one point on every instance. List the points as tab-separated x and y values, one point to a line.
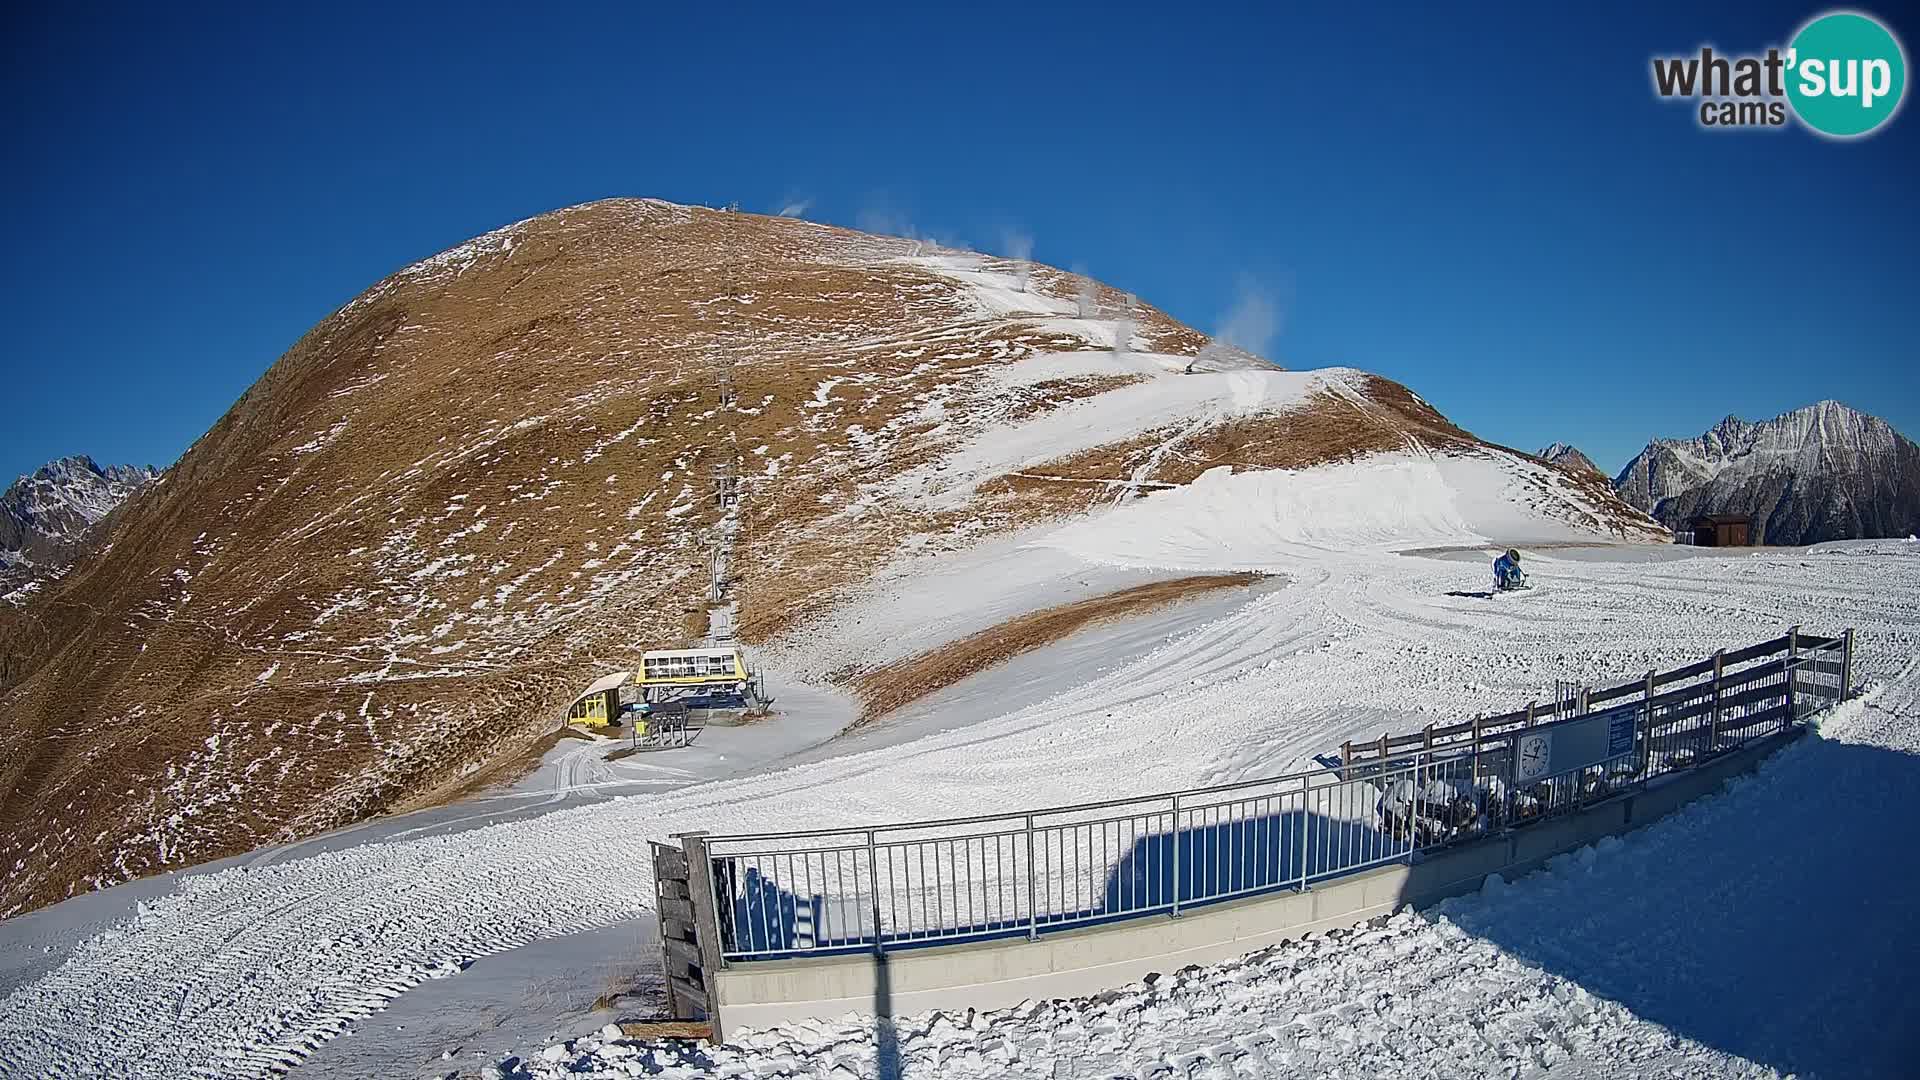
1614	964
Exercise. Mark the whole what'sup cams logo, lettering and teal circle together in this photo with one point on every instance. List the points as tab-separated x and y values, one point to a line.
1844	76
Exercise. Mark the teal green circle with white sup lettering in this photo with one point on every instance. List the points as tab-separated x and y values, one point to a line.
1846	74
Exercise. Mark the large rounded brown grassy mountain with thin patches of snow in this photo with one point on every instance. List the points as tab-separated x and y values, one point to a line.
491	478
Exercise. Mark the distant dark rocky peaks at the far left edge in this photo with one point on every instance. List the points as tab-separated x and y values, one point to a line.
47	514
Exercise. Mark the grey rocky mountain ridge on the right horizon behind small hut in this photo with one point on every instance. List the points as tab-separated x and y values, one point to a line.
1819	474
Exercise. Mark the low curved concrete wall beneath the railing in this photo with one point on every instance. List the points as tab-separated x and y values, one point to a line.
994	975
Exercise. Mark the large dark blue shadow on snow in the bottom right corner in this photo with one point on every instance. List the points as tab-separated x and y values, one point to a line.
1775	923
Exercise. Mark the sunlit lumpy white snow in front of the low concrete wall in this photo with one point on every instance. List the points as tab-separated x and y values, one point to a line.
1403	998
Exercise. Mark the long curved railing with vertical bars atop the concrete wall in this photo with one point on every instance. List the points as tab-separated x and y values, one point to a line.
1038	871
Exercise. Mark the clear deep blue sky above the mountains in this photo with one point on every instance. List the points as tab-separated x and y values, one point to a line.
1491	209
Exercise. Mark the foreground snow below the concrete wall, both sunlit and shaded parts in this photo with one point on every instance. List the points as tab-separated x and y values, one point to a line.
1685	950
